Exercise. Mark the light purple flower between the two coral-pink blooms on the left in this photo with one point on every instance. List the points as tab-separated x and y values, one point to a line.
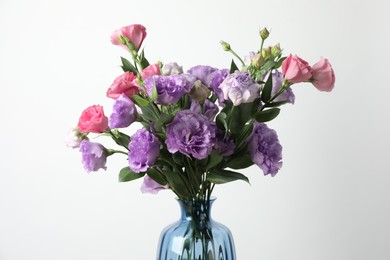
124	112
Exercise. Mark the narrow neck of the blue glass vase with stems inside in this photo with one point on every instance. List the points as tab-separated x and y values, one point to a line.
196	210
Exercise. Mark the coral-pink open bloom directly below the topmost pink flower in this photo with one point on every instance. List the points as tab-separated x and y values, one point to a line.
125	83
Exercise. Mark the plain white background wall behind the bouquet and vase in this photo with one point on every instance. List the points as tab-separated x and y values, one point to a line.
329	201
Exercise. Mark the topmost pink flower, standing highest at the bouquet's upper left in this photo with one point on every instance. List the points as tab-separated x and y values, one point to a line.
136	33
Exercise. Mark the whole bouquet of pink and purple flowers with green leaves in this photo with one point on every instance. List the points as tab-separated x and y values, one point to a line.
197	128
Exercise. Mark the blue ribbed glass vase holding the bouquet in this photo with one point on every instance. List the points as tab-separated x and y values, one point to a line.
196	235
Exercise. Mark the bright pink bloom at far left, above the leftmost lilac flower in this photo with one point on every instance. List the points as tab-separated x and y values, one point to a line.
93	120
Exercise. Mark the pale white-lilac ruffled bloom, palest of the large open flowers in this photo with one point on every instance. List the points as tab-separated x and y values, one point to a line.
239	87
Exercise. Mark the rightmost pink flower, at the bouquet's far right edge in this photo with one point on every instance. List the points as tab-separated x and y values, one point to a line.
323	75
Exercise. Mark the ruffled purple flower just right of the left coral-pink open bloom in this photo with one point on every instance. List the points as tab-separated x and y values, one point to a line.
169	88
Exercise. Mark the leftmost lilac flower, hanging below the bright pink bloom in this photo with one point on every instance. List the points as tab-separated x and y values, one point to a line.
94	156
